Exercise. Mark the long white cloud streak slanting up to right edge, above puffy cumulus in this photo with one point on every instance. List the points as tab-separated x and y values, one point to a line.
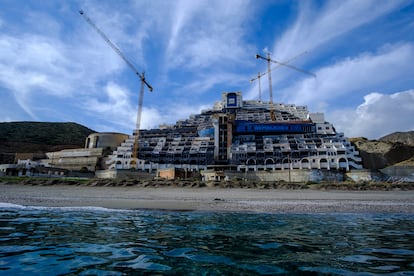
352	77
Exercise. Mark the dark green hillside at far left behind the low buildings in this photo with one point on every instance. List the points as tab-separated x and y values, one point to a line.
39	137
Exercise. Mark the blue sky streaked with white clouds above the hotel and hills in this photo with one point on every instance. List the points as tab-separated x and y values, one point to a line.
54	67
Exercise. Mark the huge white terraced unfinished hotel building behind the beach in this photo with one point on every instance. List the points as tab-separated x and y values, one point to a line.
241	136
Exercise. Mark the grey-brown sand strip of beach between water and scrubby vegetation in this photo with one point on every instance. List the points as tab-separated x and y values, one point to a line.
210	199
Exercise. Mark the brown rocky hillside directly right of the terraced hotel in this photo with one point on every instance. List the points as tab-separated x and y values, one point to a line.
389	150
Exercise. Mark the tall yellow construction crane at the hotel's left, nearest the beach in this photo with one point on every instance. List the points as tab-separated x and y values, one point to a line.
140	76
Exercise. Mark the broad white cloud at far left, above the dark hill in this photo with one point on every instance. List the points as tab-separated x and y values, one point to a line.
38	70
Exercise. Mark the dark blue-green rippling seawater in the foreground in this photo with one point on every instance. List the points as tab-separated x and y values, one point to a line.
96	241
